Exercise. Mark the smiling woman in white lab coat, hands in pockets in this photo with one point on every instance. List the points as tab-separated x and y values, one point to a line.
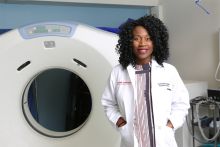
145	98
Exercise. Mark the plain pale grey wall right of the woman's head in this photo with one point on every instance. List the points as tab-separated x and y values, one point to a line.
193	38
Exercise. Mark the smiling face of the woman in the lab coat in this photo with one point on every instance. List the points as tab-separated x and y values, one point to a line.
142	45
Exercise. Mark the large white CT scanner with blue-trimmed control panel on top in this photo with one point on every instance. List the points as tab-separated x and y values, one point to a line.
26	53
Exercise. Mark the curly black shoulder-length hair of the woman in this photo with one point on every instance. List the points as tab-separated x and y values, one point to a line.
158	34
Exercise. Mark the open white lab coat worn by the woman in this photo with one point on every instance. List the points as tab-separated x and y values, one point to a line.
170	102
